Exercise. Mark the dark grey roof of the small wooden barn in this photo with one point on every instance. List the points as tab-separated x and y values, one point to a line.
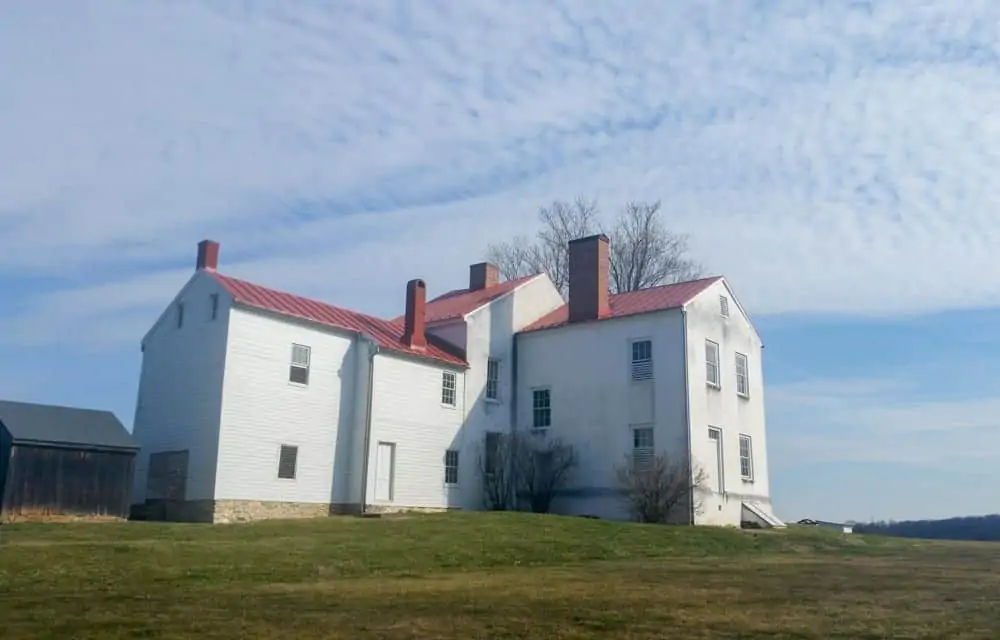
42	424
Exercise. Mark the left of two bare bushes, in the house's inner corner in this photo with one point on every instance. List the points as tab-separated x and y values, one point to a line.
518	466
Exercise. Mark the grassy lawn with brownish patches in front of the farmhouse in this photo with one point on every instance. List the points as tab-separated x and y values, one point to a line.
486	576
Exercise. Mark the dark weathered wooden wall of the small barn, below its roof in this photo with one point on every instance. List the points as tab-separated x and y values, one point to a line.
49	481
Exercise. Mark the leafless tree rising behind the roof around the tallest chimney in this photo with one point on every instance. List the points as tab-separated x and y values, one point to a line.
644	253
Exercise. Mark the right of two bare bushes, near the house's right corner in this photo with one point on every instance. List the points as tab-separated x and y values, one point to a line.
659	487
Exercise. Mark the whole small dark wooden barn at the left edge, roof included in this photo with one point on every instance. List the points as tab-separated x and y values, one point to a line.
62	461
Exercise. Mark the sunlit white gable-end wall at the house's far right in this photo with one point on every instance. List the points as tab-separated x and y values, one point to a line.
723	408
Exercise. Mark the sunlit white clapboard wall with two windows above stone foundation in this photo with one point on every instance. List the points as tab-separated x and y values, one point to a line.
262	410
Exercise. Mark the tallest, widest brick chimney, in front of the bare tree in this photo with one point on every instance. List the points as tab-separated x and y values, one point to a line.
588	278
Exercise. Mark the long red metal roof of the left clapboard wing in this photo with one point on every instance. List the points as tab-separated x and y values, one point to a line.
387	333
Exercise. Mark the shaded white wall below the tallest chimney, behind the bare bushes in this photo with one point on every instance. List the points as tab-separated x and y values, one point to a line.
595	403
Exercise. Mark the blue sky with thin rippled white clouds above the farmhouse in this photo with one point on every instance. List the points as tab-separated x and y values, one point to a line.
838	162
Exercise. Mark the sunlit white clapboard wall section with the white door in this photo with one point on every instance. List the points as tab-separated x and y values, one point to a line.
407	412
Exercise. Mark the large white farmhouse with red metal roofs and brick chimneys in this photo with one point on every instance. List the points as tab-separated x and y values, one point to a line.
255	403
